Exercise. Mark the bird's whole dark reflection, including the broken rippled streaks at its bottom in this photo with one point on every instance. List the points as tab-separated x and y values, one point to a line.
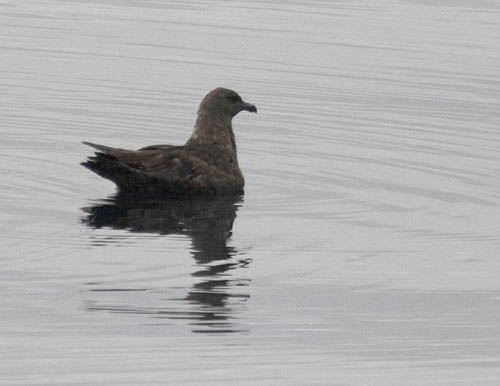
217	296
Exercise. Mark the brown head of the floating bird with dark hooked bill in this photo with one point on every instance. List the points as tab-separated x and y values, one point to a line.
223	101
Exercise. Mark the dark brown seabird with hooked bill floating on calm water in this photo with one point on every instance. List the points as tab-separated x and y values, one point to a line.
207	164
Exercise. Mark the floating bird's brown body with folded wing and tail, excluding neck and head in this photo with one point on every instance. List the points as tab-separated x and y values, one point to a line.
167	169
